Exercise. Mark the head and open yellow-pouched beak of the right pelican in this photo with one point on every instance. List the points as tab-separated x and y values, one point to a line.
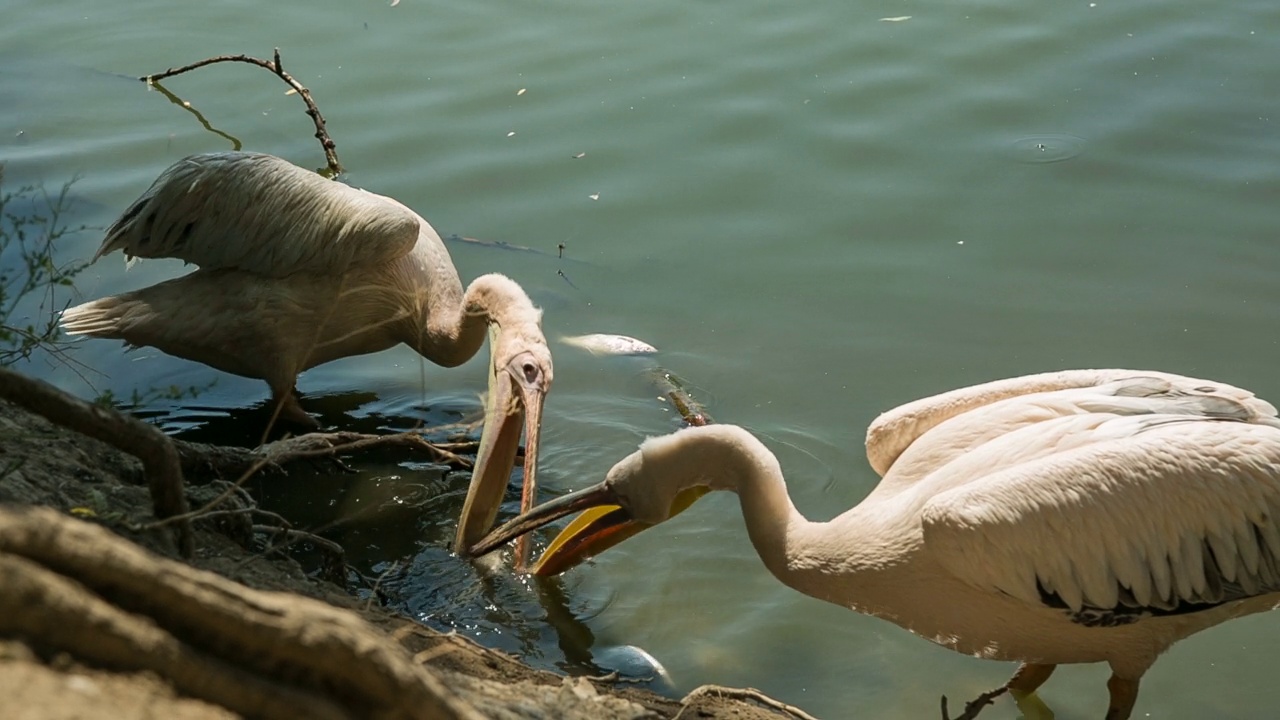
648	487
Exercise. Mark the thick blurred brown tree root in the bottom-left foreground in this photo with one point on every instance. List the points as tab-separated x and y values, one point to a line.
130	609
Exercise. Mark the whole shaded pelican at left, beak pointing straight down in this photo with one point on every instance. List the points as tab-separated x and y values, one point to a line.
298	271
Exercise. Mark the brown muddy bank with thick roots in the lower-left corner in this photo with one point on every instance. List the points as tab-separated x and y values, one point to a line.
102	618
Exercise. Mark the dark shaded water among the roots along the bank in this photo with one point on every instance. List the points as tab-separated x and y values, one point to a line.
395	513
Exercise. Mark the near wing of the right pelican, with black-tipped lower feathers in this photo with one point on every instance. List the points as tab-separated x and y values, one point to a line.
1139	514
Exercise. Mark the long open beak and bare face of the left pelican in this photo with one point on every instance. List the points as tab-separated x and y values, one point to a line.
515	404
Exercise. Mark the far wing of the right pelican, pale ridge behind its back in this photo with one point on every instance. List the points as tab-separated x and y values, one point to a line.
895	431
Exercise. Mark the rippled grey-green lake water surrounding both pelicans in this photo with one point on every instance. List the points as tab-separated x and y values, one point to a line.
815	212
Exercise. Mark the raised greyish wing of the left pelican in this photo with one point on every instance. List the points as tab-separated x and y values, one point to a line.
263	215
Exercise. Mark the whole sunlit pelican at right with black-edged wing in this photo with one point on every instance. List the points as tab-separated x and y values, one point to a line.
1075	517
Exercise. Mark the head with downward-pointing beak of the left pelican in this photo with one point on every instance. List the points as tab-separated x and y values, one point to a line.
520	376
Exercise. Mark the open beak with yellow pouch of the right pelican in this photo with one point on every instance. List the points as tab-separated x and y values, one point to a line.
602	526
